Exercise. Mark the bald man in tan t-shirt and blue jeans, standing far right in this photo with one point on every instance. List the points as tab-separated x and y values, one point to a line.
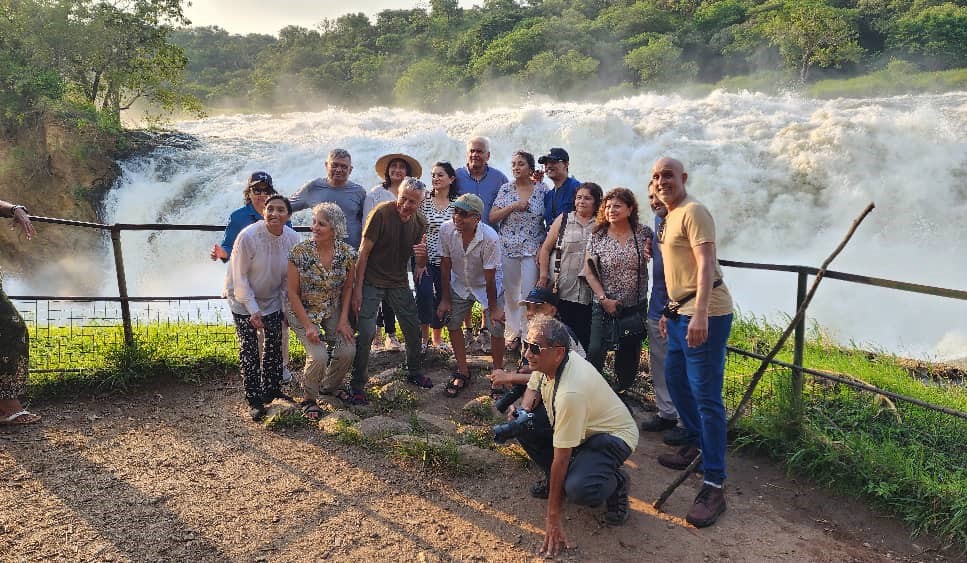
697	322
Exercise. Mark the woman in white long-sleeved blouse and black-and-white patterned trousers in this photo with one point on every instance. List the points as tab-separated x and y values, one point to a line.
254	288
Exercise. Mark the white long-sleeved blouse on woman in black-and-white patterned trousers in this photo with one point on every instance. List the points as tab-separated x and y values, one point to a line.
257	270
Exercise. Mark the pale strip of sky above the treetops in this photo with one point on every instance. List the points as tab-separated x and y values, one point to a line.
269	16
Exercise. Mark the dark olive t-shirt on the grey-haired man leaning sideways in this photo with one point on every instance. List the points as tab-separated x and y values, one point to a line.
393	242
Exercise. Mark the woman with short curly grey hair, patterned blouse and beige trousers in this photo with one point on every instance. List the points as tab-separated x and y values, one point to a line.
320	284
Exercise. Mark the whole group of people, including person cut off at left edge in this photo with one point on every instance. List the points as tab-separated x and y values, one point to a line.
559	269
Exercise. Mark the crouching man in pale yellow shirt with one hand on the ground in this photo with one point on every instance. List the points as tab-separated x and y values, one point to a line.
593	433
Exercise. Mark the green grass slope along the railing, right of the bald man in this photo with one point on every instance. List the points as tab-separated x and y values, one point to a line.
908	460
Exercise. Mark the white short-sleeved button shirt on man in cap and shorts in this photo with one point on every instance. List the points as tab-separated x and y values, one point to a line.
467	266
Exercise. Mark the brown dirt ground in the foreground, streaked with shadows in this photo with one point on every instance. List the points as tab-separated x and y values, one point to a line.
177	472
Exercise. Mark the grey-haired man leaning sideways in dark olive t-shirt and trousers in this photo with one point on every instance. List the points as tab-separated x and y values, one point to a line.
394	232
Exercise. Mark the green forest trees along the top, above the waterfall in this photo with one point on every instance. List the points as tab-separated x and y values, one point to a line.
103	56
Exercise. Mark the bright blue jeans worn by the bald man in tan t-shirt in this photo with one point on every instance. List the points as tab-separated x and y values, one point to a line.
694	377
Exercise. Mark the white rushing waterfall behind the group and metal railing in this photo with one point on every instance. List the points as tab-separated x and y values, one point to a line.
783	176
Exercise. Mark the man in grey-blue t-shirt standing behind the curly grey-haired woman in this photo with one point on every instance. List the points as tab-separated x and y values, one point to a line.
337	188
